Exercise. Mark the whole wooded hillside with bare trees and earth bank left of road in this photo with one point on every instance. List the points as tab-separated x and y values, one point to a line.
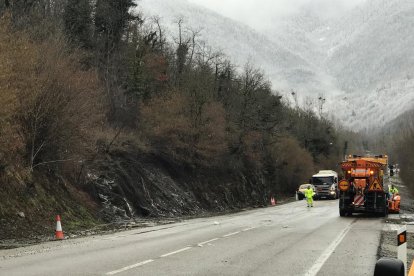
106	116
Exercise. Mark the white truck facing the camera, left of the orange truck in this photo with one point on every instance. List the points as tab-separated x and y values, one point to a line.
326	184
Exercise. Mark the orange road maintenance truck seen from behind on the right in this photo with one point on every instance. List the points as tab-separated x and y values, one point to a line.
362	188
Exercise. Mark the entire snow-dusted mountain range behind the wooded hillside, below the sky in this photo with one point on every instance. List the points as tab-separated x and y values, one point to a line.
362	62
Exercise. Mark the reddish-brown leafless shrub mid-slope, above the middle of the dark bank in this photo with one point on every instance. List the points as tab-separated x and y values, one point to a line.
173	131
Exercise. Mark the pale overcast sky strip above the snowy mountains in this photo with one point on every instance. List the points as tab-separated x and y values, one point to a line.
261	13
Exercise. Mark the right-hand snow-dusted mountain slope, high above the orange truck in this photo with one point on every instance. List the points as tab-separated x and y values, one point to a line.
369	52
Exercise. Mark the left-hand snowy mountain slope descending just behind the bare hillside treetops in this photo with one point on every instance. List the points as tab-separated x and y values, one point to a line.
285	68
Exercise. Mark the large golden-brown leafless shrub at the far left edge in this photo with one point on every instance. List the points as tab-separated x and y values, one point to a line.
49	105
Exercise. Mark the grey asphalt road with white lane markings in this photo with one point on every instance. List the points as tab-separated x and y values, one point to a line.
289	239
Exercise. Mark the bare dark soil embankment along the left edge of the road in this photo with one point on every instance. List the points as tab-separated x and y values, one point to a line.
120	189
